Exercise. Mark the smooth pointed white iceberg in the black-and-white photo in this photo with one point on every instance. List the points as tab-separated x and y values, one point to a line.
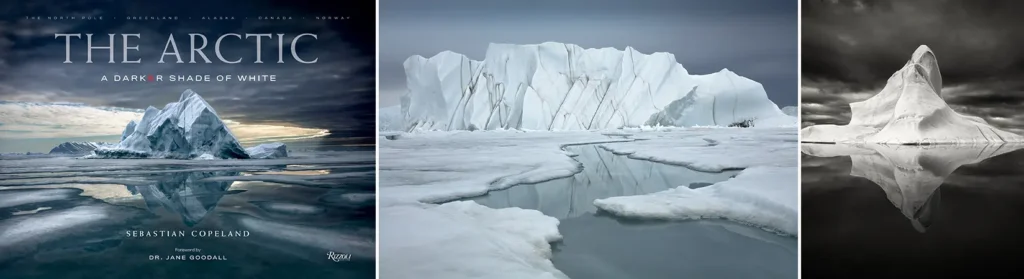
910	111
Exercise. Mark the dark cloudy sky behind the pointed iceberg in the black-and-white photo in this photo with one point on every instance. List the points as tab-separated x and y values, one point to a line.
850	49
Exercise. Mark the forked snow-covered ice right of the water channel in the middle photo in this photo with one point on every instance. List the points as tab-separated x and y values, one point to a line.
764	194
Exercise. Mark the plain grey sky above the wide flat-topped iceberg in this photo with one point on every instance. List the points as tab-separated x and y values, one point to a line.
754	38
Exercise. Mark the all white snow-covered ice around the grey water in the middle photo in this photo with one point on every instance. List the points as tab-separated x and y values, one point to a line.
480	243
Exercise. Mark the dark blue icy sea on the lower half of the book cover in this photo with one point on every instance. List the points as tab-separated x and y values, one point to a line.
70	218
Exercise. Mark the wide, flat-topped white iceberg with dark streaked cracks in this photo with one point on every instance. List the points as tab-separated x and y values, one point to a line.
557	87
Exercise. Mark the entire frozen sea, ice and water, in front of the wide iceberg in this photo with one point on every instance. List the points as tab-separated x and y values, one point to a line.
644	204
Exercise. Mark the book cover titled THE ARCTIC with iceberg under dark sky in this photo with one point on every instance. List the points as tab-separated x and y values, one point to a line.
184	139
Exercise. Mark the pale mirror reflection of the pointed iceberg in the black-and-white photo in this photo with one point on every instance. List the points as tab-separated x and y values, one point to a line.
911	176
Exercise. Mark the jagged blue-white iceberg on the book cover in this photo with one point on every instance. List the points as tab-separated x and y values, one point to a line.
187	130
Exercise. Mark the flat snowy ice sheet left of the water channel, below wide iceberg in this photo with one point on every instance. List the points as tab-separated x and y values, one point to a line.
445	167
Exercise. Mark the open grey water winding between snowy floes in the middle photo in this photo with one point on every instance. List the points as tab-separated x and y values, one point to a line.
596	246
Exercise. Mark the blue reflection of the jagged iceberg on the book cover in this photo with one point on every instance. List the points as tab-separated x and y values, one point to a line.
186	194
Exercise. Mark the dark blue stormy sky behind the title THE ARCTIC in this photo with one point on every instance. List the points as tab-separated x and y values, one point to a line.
335	94
